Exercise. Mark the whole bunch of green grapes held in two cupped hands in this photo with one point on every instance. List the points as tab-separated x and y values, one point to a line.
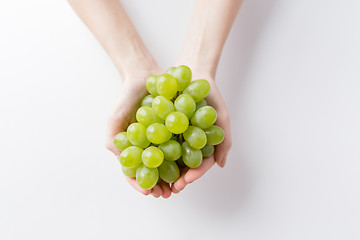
174	129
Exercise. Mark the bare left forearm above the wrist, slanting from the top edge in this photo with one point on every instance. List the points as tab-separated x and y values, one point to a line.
114	30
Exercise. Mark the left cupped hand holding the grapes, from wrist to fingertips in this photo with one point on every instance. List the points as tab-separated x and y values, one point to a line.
123	114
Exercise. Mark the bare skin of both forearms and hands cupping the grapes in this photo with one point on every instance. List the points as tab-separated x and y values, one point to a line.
210	25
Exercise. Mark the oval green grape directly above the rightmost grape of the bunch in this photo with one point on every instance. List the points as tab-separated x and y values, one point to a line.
204	117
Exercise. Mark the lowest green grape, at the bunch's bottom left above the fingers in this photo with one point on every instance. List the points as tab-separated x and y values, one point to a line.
147	177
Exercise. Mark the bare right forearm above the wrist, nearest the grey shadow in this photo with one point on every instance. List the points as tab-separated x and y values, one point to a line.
209	27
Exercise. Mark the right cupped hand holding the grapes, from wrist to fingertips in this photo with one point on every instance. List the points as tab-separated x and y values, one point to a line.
215	100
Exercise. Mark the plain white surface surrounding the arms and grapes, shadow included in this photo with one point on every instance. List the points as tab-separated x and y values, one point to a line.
289	73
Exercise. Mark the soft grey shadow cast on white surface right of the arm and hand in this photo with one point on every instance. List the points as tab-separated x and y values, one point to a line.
227	191
